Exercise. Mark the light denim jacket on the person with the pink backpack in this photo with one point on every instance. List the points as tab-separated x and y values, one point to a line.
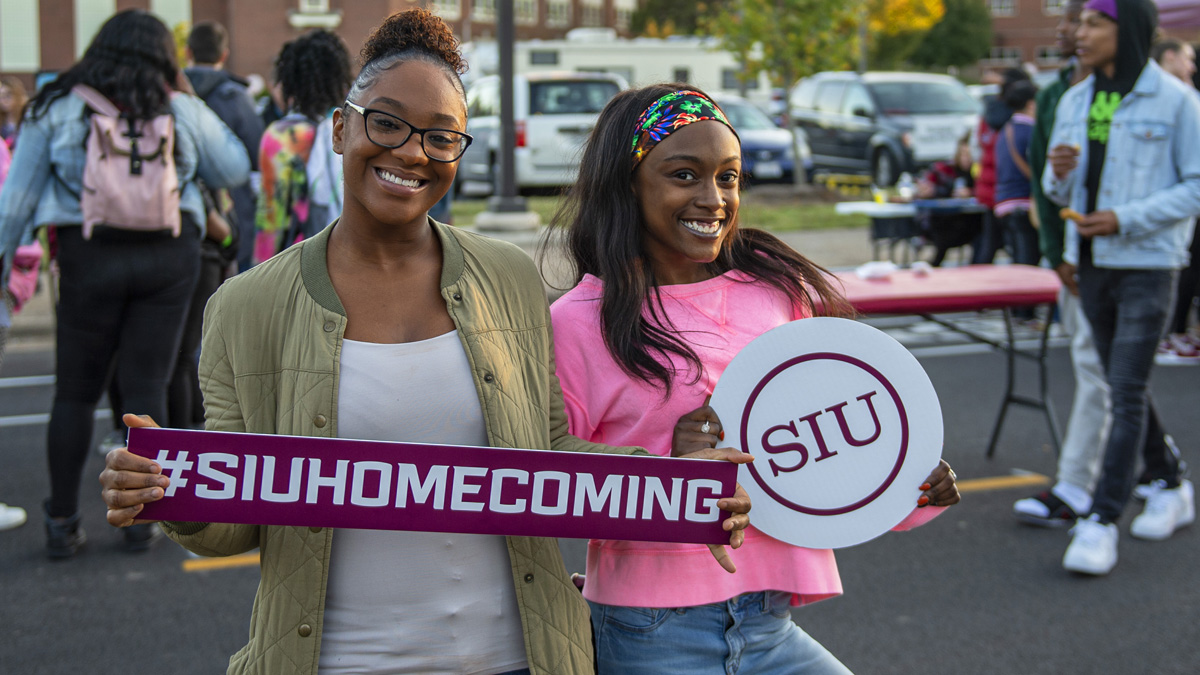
33	196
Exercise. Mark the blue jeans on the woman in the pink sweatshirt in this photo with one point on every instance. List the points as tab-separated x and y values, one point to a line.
749	635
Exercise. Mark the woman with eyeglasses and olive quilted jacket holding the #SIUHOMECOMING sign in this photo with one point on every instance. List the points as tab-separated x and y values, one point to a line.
388	326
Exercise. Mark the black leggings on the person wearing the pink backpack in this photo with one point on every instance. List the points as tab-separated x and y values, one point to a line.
125	295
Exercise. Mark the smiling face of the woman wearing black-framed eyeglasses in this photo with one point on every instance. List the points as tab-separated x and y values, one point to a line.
398	187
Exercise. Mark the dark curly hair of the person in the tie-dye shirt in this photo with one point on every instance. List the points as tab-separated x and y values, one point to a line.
314	73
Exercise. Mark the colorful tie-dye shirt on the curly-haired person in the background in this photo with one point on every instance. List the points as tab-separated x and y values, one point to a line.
284	205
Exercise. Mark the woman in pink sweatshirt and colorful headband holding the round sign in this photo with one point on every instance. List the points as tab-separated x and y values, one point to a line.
669	290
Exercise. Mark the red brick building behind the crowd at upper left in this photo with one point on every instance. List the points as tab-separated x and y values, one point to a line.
50	35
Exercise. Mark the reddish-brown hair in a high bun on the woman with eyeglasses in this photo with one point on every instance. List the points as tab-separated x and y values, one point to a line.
413	35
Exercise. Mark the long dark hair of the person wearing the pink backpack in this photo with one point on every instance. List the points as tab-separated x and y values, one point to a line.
131	62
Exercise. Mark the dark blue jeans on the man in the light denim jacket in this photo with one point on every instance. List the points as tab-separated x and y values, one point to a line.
1129	310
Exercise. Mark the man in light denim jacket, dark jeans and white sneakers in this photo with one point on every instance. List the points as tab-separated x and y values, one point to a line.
1123	157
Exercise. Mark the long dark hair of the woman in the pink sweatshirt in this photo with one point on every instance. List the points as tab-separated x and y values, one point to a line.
604	231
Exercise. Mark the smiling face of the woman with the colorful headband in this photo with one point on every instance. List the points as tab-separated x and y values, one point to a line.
687	189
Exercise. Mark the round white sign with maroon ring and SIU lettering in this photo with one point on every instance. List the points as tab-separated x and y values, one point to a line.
844	425
